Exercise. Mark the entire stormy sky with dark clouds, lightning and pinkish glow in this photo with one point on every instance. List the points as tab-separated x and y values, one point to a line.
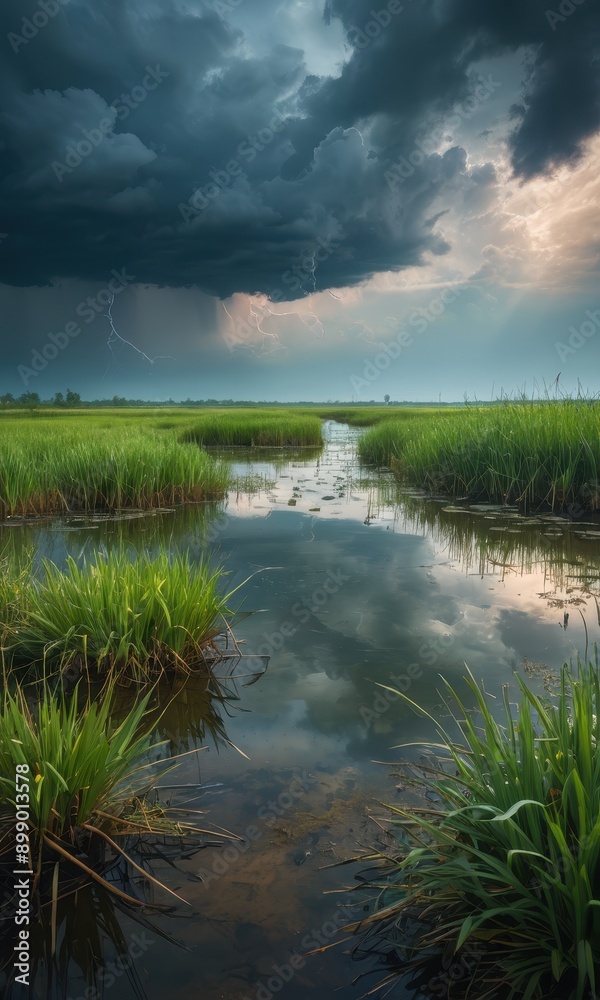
256	199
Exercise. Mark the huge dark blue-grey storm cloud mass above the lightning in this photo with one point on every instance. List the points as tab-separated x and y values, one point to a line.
147	135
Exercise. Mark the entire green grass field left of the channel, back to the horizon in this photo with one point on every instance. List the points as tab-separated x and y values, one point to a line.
60	461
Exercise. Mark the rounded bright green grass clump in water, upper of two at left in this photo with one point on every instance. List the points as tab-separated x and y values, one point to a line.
120	615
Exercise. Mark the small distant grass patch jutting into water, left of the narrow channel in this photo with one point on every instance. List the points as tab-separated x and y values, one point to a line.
258	429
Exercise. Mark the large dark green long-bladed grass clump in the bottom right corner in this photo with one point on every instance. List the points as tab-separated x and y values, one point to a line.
510	863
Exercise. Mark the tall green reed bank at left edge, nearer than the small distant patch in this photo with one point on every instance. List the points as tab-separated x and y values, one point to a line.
55	467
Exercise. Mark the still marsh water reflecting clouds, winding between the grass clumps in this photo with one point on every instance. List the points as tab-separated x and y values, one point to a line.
353	584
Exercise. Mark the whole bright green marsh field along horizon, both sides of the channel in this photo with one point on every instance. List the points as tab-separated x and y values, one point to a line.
537	454
